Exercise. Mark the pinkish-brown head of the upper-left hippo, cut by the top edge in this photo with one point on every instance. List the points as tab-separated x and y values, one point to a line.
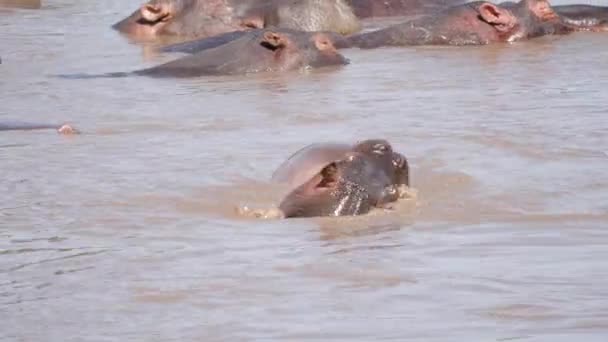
184	18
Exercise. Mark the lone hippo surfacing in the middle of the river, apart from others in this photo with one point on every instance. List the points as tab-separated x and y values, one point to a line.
340	179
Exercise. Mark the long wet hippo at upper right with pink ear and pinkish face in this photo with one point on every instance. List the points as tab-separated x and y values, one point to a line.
475	23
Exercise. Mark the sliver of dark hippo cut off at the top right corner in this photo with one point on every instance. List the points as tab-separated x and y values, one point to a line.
584	17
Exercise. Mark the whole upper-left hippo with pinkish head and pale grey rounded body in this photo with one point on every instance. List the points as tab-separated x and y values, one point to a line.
190	19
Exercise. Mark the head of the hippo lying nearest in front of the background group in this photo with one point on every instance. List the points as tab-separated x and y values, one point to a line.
291	50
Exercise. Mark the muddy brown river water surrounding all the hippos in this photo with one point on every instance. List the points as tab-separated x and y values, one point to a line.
129	231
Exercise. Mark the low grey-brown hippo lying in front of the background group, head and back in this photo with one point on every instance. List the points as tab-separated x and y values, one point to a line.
258	51
